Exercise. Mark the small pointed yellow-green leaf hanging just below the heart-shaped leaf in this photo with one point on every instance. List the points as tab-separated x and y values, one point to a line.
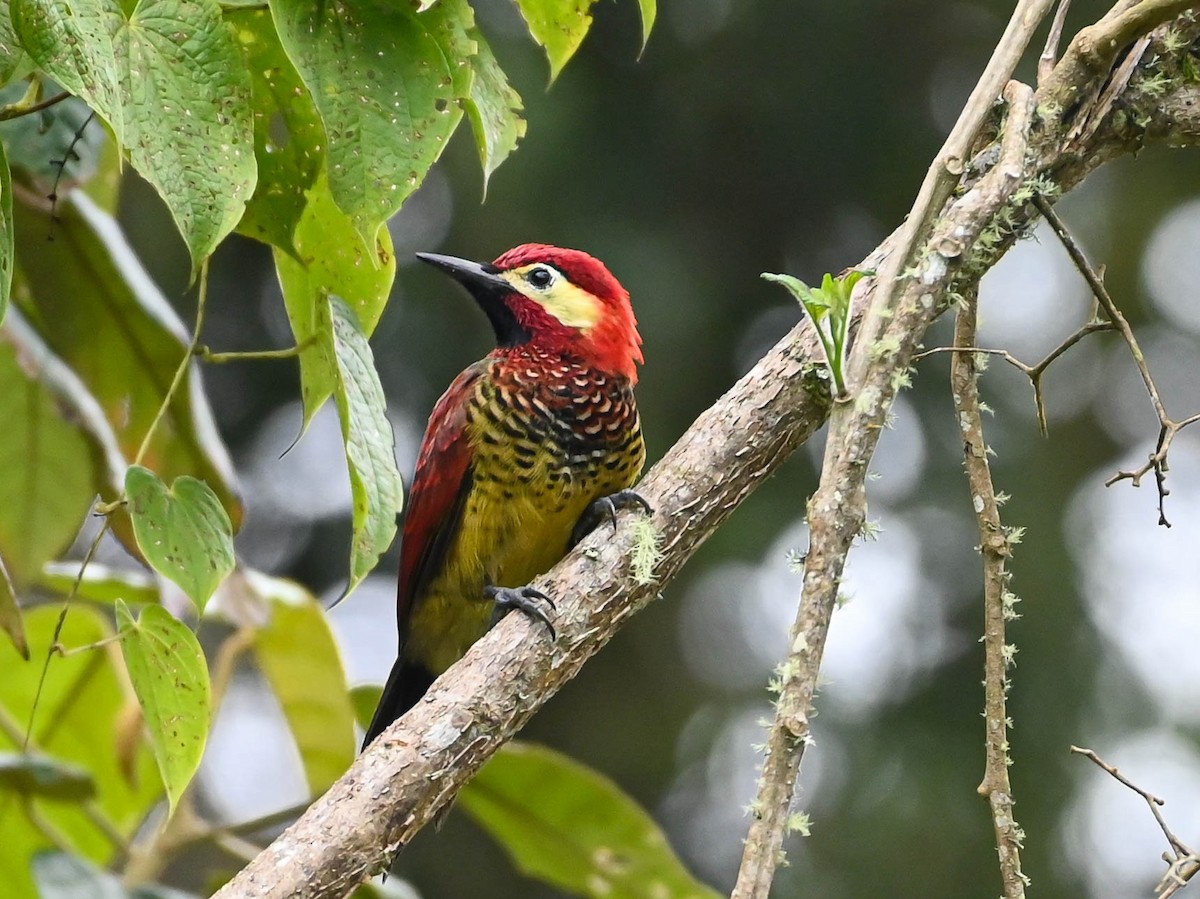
171	680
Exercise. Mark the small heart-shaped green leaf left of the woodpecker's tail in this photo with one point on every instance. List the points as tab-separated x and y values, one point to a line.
183	532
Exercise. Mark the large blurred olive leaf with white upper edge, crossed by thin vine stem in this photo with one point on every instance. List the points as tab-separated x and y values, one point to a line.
97	308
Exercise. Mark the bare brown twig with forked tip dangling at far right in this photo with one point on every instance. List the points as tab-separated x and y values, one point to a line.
1168	427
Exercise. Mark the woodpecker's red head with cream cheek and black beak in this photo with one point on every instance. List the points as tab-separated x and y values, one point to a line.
557	299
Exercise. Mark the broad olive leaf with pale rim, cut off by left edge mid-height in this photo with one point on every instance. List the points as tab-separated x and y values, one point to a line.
55	451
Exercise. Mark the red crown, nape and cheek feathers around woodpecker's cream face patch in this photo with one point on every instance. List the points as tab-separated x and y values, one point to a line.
614	344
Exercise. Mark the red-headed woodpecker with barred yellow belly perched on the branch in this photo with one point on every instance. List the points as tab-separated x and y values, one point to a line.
526	452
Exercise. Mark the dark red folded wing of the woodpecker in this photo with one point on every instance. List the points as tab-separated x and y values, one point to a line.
440	490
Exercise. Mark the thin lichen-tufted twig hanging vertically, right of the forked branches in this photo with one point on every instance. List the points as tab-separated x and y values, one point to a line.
995	547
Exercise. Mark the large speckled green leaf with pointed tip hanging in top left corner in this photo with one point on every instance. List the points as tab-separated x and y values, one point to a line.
170	81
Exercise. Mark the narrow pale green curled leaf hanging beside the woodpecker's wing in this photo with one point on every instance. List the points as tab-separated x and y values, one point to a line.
376	486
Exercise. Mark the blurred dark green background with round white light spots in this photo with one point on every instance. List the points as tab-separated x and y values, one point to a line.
784	136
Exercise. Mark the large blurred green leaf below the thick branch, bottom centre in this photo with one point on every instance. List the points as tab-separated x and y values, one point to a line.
573	829
